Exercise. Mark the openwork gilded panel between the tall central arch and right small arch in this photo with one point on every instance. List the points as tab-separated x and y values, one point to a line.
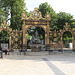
55	40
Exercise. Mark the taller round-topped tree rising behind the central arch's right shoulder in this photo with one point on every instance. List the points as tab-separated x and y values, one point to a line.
44	8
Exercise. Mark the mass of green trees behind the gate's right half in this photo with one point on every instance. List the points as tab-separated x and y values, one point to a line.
57	19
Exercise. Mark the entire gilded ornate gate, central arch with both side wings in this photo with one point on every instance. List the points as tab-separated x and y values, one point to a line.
18	39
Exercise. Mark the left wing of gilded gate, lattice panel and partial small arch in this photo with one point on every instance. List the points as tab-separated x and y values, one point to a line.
15	37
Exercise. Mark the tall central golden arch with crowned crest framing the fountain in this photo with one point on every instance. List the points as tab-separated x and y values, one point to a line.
35	19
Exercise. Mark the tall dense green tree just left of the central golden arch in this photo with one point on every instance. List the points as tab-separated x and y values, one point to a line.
17	7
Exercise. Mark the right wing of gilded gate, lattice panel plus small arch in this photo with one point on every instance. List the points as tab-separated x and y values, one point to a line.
56	39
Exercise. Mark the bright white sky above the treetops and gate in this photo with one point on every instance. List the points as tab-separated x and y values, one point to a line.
67	6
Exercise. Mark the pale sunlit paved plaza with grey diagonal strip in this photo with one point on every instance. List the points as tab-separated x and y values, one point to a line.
56	64
